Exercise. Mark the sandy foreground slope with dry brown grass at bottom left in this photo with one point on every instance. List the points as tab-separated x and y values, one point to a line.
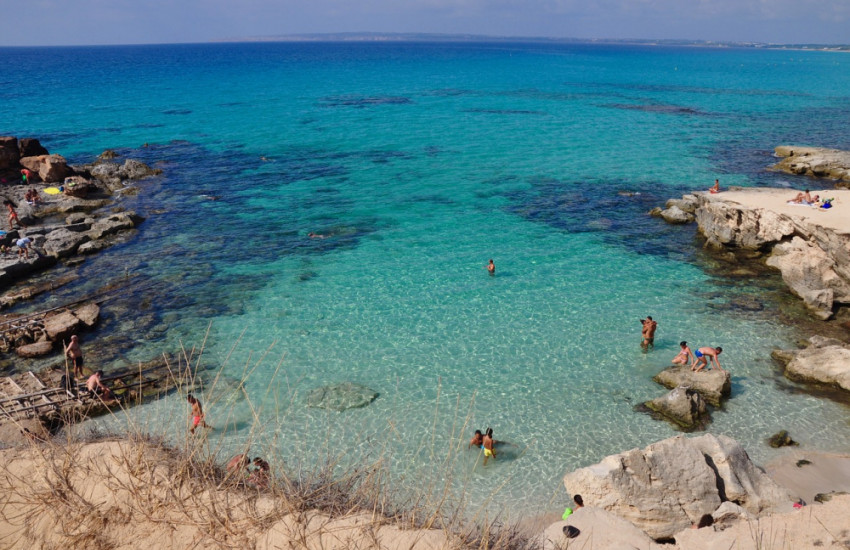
97	491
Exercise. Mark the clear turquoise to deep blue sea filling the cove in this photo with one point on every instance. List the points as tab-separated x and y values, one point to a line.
418	163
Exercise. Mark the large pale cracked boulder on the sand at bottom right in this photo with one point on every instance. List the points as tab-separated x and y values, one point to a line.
667	486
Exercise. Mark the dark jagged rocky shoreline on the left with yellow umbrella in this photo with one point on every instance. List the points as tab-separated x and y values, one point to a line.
65	213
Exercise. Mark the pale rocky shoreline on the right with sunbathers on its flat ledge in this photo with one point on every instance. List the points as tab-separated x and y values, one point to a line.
807	244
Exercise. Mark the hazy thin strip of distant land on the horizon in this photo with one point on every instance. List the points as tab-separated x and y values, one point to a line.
435	37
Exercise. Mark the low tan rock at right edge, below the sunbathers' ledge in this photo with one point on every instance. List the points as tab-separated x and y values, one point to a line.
825	361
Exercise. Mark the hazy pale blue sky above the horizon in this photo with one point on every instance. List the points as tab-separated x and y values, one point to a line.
83	22
